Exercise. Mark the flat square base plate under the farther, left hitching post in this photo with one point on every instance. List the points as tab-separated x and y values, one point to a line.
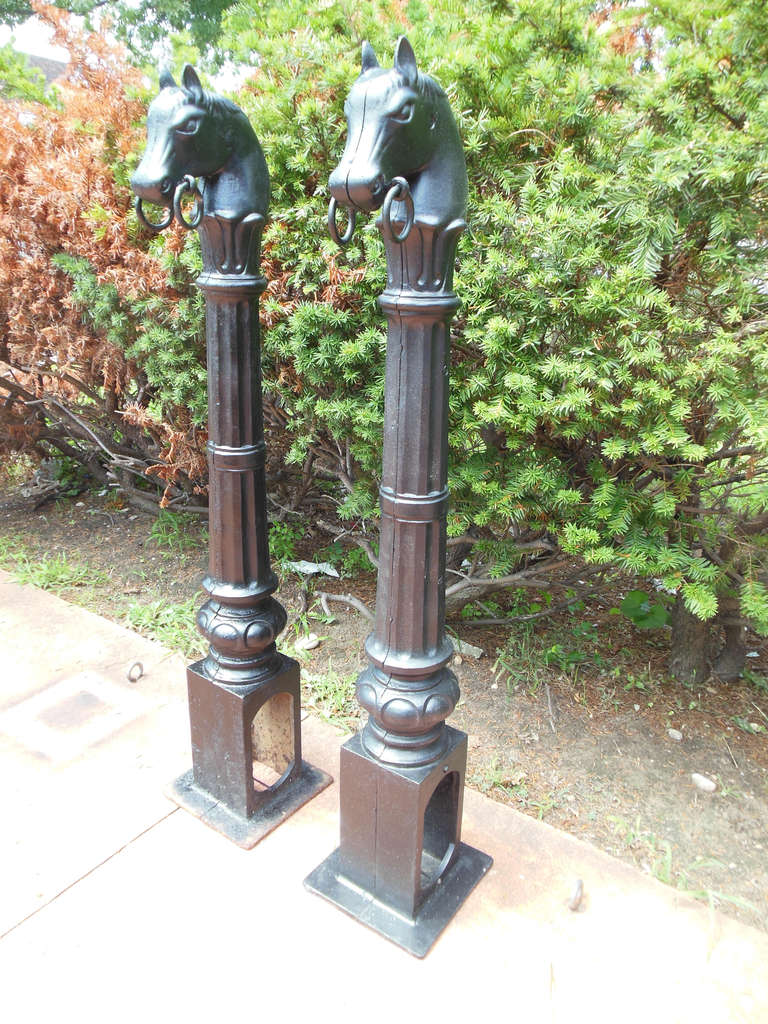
248	832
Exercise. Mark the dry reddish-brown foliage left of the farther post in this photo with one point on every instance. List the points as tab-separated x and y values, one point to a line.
60	195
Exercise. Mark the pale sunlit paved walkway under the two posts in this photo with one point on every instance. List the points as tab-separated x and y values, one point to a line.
117	907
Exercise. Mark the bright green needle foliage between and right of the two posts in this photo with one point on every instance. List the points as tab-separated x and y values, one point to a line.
611	373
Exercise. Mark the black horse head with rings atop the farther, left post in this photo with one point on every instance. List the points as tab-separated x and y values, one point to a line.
195	135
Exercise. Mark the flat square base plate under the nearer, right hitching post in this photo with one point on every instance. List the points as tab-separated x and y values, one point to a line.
416	935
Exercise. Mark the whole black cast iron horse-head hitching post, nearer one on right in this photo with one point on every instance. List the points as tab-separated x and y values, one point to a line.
401	867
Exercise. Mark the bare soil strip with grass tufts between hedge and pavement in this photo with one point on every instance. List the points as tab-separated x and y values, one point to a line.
582	743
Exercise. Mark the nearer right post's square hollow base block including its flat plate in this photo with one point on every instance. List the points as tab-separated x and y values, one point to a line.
401	868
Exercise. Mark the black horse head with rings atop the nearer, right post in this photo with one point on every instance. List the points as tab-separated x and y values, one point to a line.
399	121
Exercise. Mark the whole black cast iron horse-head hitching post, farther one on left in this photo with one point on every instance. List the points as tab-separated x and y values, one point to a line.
244	697
